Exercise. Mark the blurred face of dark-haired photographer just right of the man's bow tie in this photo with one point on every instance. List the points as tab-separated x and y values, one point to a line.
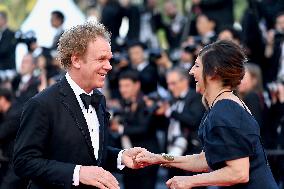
128	89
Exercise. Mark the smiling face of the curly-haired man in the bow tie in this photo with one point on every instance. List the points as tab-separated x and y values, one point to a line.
91	69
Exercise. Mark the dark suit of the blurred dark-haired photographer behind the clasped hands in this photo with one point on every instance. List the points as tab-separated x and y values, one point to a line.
139	127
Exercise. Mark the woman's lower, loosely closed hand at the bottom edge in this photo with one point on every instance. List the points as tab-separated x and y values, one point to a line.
180	182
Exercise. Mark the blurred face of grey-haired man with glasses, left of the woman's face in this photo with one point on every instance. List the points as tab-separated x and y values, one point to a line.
176	84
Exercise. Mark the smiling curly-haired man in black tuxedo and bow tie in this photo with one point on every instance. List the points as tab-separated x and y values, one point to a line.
62	140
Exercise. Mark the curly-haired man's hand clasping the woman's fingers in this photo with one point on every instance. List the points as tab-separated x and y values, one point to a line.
129	156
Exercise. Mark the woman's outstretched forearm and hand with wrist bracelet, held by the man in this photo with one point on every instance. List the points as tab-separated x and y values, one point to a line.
193	163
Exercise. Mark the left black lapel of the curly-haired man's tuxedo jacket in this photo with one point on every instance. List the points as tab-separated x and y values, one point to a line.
71	104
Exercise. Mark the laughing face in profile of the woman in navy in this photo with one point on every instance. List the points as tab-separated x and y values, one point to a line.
197	72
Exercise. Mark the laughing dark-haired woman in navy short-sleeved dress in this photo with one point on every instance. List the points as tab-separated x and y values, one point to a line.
232	152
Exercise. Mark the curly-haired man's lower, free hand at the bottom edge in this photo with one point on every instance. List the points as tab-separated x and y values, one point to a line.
97	176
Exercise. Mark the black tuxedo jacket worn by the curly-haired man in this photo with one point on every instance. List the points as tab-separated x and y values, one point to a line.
54	137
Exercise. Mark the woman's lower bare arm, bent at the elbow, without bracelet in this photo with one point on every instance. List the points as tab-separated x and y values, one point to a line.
236	171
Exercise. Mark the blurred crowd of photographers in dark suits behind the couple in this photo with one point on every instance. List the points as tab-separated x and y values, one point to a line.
151	96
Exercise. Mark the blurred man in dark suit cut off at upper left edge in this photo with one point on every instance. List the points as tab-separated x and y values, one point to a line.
7	44
